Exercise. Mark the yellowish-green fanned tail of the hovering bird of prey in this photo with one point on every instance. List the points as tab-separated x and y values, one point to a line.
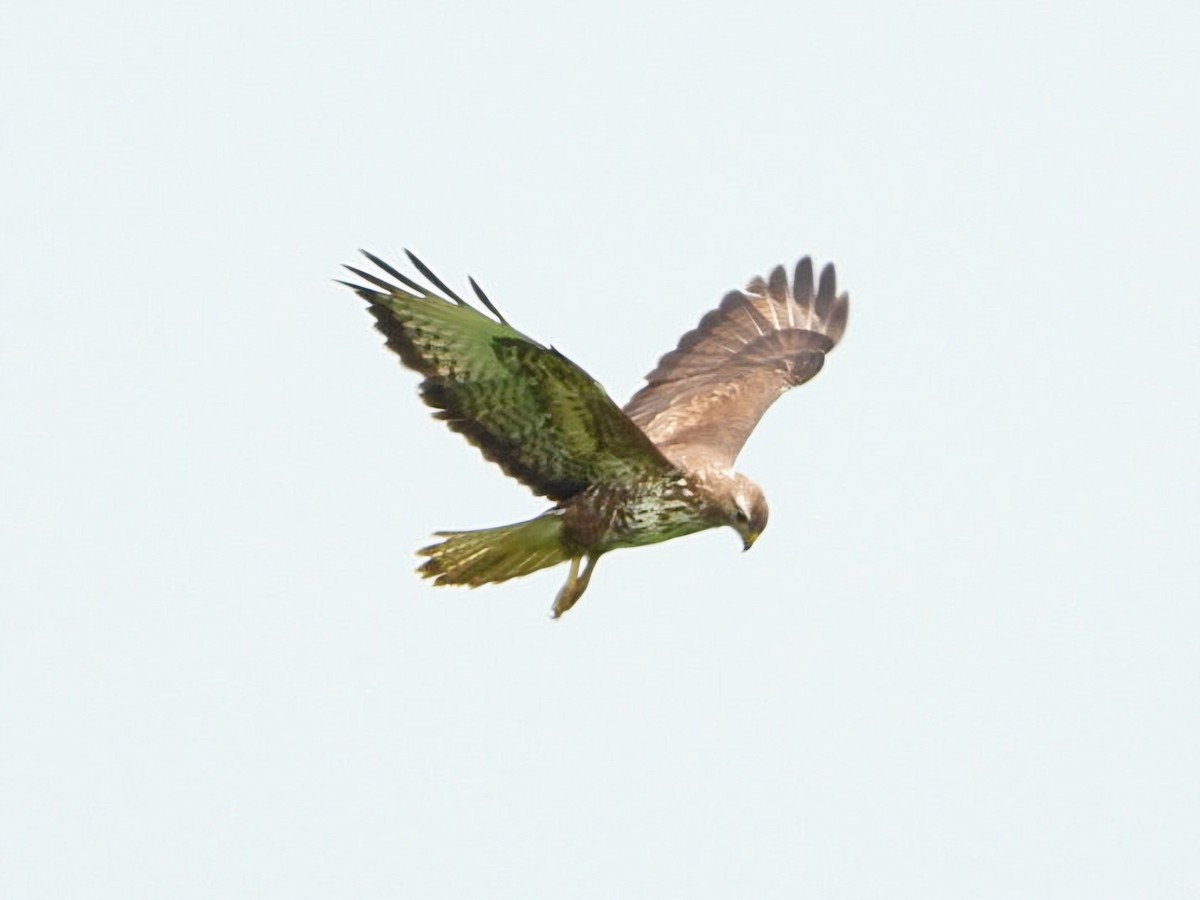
493	555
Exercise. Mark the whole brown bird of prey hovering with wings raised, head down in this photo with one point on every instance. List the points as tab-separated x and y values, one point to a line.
662	467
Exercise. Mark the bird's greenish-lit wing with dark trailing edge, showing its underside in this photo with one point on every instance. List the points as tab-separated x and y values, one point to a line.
529	409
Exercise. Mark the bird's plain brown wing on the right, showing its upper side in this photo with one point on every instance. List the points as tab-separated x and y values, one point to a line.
706	397
